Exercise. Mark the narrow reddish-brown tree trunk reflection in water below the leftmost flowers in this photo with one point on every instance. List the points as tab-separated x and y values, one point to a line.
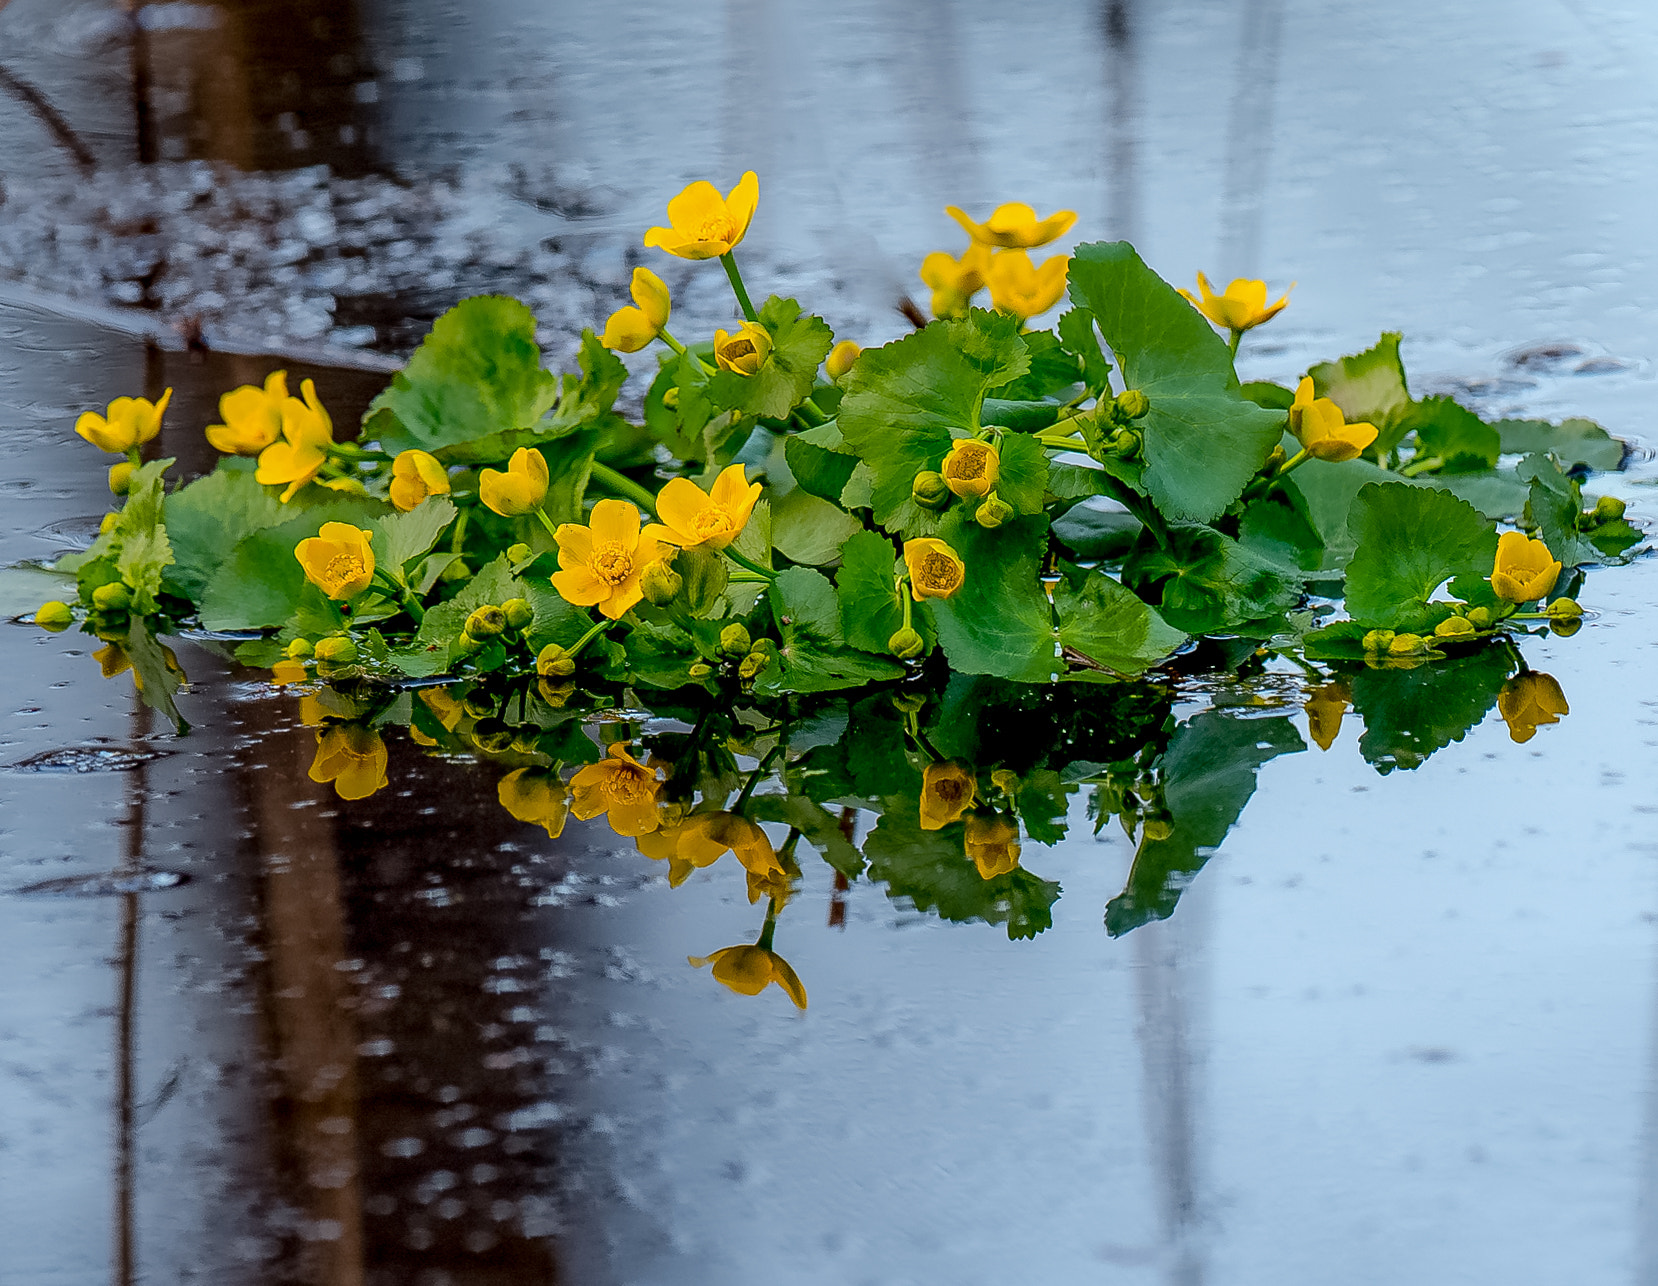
309	1005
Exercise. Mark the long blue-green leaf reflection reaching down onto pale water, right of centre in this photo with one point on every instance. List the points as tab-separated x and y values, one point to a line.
1208	778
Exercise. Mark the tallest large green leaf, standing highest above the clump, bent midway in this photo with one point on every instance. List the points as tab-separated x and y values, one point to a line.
1203	440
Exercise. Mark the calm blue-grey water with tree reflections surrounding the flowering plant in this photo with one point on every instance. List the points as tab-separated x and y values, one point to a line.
1402	1027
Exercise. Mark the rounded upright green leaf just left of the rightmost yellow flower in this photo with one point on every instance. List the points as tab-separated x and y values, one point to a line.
1410	543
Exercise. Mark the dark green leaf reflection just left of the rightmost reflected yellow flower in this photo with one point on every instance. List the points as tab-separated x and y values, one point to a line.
1412	713
